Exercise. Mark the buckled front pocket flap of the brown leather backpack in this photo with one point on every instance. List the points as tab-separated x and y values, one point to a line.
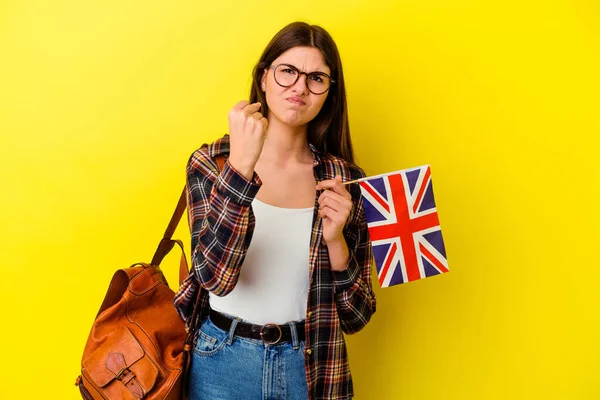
120	368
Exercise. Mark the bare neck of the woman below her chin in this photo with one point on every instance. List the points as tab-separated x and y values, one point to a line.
285	144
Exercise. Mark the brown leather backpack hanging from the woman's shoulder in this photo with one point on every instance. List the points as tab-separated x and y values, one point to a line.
138	347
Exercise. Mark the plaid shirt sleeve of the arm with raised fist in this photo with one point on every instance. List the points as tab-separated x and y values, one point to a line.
221	221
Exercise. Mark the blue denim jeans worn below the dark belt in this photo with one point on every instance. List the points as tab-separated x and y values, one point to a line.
229	367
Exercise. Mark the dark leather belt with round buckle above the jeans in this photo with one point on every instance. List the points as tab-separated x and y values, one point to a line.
269	333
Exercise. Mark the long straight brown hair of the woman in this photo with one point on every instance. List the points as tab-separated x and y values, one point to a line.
328	131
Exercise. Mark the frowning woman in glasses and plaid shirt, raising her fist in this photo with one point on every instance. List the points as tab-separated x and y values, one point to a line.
281	253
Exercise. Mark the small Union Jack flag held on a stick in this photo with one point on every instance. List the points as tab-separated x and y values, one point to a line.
404	226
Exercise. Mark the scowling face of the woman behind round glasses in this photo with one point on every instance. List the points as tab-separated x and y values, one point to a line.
295	105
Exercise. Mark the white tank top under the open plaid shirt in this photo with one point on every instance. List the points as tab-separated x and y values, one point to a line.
273	282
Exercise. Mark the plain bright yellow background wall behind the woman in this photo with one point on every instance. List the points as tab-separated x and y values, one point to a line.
101	103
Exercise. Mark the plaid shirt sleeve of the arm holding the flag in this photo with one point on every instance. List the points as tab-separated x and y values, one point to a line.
353	291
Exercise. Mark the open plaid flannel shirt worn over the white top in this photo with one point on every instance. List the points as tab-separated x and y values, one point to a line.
221	221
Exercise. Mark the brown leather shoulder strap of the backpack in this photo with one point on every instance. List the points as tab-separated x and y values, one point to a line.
166	244
